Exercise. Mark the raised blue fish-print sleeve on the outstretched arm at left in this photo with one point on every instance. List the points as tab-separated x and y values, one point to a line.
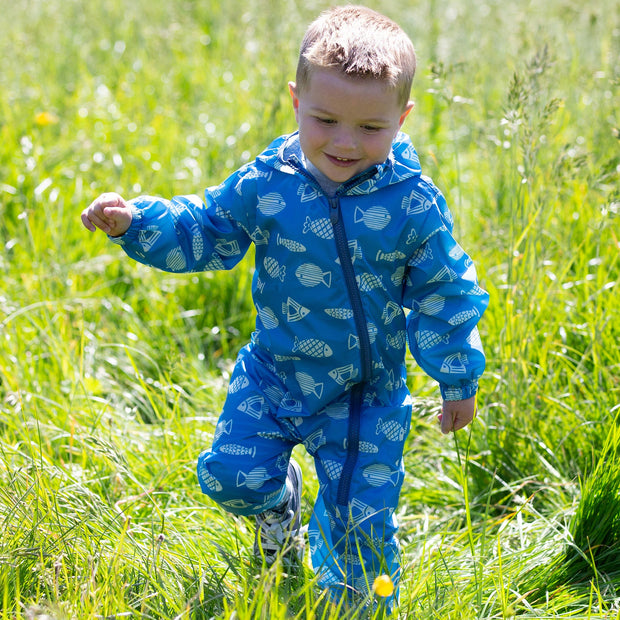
187	234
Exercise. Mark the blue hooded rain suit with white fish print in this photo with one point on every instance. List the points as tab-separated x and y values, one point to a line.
341	285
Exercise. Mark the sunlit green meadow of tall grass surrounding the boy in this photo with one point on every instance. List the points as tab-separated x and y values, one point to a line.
112	374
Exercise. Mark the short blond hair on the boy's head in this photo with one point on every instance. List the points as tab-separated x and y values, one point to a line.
360	43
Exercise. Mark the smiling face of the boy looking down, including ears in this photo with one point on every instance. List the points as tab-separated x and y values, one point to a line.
346	124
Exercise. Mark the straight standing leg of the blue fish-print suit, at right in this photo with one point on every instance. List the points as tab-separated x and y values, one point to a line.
354	541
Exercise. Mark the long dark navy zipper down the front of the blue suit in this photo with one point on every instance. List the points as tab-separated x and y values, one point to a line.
357	392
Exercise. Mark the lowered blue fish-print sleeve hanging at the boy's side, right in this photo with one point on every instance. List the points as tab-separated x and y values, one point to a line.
446	302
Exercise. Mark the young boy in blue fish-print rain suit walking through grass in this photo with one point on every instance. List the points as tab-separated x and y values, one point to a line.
354	258
